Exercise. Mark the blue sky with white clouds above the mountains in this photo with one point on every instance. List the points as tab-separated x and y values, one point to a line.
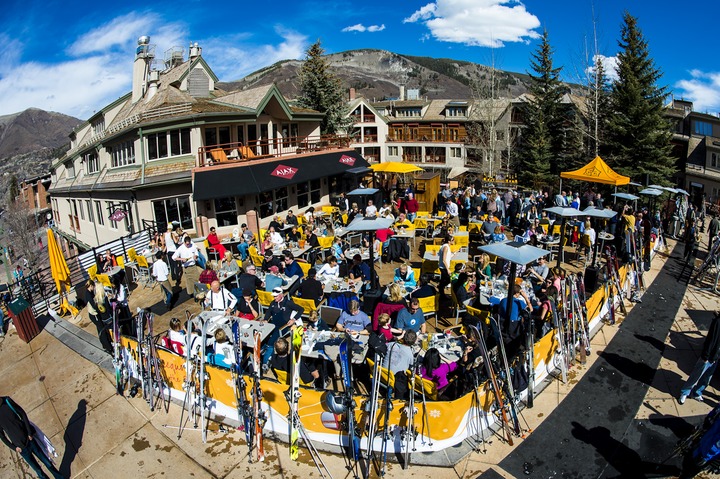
75	57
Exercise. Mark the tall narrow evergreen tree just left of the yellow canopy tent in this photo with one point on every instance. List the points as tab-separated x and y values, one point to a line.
543	154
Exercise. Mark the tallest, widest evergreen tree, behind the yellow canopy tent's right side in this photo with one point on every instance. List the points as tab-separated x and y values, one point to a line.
638	135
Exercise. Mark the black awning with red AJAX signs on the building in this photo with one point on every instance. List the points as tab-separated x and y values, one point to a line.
210	183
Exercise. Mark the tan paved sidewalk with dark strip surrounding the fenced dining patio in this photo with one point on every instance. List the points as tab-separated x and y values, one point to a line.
628	387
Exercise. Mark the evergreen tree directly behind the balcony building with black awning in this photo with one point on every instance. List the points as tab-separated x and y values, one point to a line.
321	90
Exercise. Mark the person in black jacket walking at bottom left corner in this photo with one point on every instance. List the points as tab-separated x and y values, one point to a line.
18	434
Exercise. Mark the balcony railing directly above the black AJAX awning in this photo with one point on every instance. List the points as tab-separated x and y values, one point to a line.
238	152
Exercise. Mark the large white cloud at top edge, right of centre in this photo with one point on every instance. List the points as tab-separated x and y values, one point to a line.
486	23
